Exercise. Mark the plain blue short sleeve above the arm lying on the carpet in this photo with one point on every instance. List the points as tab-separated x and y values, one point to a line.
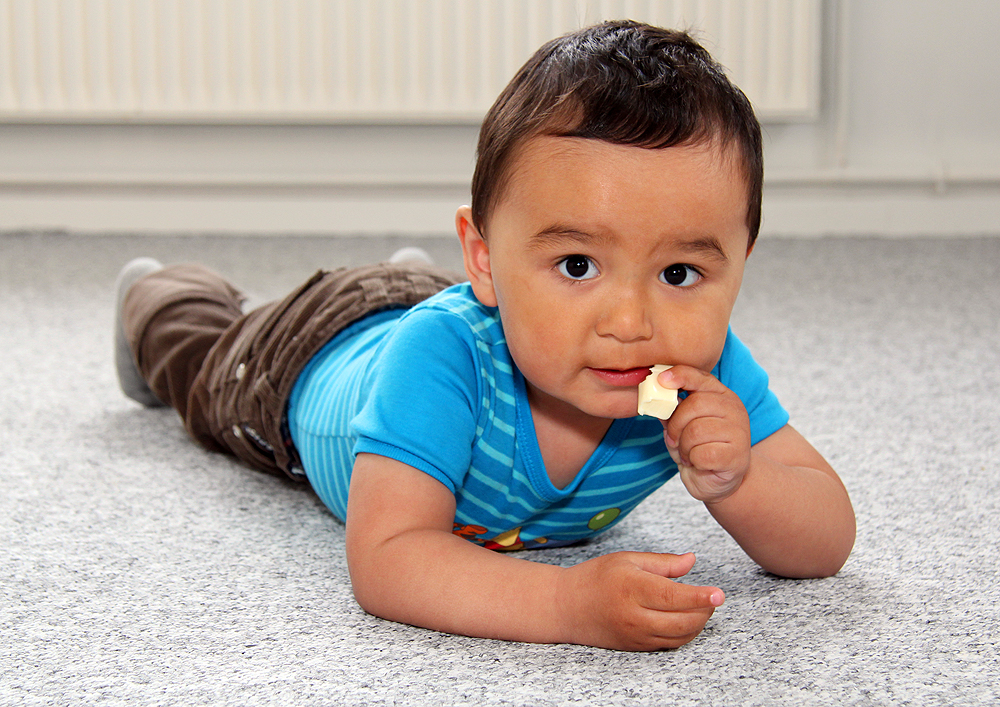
423	399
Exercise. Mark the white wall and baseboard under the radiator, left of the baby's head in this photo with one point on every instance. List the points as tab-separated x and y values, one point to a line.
248	179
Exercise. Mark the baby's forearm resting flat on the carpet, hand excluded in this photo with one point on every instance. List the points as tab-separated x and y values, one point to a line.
436	580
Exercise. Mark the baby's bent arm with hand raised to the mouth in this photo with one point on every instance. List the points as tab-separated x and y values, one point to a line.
780	499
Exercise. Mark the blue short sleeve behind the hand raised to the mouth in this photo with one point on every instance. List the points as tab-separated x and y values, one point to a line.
739	372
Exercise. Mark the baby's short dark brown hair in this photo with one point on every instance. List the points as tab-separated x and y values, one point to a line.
626	83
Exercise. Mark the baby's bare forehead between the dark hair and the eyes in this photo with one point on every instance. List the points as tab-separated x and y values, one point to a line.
567	189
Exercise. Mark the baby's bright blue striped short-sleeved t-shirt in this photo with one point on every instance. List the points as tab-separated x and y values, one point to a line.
434	387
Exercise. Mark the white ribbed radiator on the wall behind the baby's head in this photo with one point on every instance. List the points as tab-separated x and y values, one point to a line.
275	61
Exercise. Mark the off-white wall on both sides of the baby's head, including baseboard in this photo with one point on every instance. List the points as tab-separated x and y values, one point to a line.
907	143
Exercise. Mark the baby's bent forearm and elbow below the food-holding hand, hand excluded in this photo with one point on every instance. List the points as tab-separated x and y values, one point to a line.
794	521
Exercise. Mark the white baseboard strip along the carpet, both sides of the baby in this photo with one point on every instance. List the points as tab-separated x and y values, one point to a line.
429	211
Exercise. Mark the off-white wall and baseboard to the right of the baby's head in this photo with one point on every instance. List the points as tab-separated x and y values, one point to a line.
909	138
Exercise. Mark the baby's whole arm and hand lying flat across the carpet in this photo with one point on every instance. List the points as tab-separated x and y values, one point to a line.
407	566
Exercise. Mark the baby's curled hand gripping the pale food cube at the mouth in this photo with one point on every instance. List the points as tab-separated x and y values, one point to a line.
708	436
